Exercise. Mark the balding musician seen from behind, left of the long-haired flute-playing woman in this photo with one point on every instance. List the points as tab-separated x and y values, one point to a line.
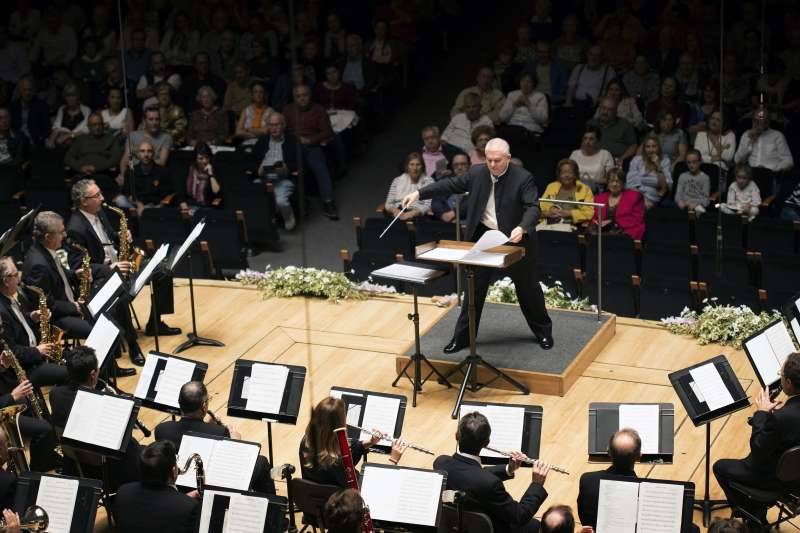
193	401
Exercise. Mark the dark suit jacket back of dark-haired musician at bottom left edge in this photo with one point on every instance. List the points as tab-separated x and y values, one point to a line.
141	506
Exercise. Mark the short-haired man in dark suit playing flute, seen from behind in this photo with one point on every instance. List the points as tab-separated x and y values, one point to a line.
484	486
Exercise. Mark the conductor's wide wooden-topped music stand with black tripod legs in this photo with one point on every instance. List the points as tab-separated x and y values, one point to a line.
499	257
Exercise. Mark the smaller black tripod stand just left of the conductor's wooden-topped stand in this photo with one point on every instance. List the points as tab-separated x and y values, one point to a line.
417	274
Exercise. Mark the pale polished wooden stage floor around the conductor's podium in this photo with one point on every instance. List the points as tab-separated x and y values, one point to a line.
354	344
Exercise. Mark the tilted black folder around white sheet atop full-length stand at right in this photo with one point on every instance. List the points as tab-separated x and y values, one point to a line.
698	411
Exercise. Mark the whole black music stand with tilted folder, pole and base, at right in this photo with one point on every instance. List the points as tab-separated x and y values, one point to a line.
700	414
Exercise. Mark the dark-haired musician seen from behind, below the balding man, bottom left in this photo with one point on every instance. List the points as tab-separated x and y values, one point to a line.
153	504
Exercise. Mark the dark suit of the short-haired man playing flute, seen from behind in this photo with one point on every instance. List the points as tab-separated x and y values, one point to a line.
486	493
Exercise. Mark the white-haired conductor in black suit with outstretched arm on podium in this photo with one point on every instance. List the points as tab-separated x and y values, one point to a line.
502	197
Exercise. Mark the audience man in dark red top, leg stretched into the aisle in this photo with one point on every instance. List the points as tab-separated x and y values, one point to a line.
310	124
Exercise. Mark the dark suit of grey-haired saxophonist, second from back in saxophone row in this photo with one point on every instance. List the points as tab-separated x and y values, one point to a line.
40	270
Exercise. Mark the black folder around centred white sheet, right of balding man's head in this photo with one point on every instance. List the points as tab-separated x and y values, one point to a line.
292	394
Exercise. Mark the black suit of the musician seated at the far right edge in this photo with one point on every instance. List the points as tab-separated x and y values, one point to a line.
773	433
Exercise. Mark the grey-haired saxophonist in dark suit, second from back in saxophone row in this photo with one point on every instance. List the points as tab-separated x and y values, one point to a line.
43	269
